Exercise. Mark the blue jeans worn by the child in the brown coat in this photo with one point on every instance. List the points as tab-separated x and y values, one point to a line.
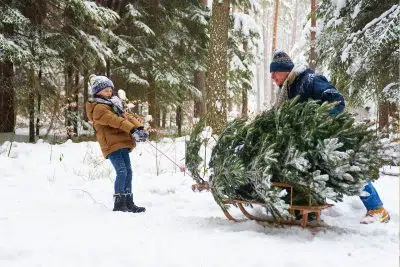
122	165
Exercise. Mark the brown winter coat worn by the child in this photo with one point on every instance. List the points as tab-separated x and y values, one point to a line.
112	132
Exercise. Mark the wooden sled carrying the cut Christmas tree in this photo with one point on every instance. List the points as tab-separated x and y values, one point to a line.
304	210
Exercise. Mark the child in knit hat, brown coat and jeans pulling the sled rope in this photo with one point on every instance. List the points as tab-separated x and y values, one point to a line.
116	132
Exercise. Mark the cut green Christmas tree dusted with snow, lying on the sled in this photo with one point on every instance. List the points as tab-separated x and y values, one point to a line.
321	156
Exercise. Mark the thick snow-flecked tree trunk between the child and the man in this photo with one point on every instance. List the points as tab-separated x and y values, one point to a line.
218	66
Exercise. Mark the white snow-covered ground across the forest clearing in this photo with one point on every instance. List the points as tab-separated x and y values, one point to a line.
55	210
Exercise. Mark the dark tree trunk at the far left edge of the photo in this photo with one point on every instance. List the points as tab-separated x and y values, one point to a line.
7	96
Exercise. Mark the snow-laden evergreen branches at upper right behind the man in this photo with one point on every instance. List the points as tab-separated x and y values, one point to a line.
367	34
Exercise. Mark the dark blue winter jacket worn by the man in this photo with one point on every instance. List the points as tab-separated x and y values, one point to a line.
310	85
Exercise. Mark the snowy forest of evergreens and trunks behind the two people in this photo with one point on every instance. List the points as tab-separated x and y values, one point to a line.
181	60
